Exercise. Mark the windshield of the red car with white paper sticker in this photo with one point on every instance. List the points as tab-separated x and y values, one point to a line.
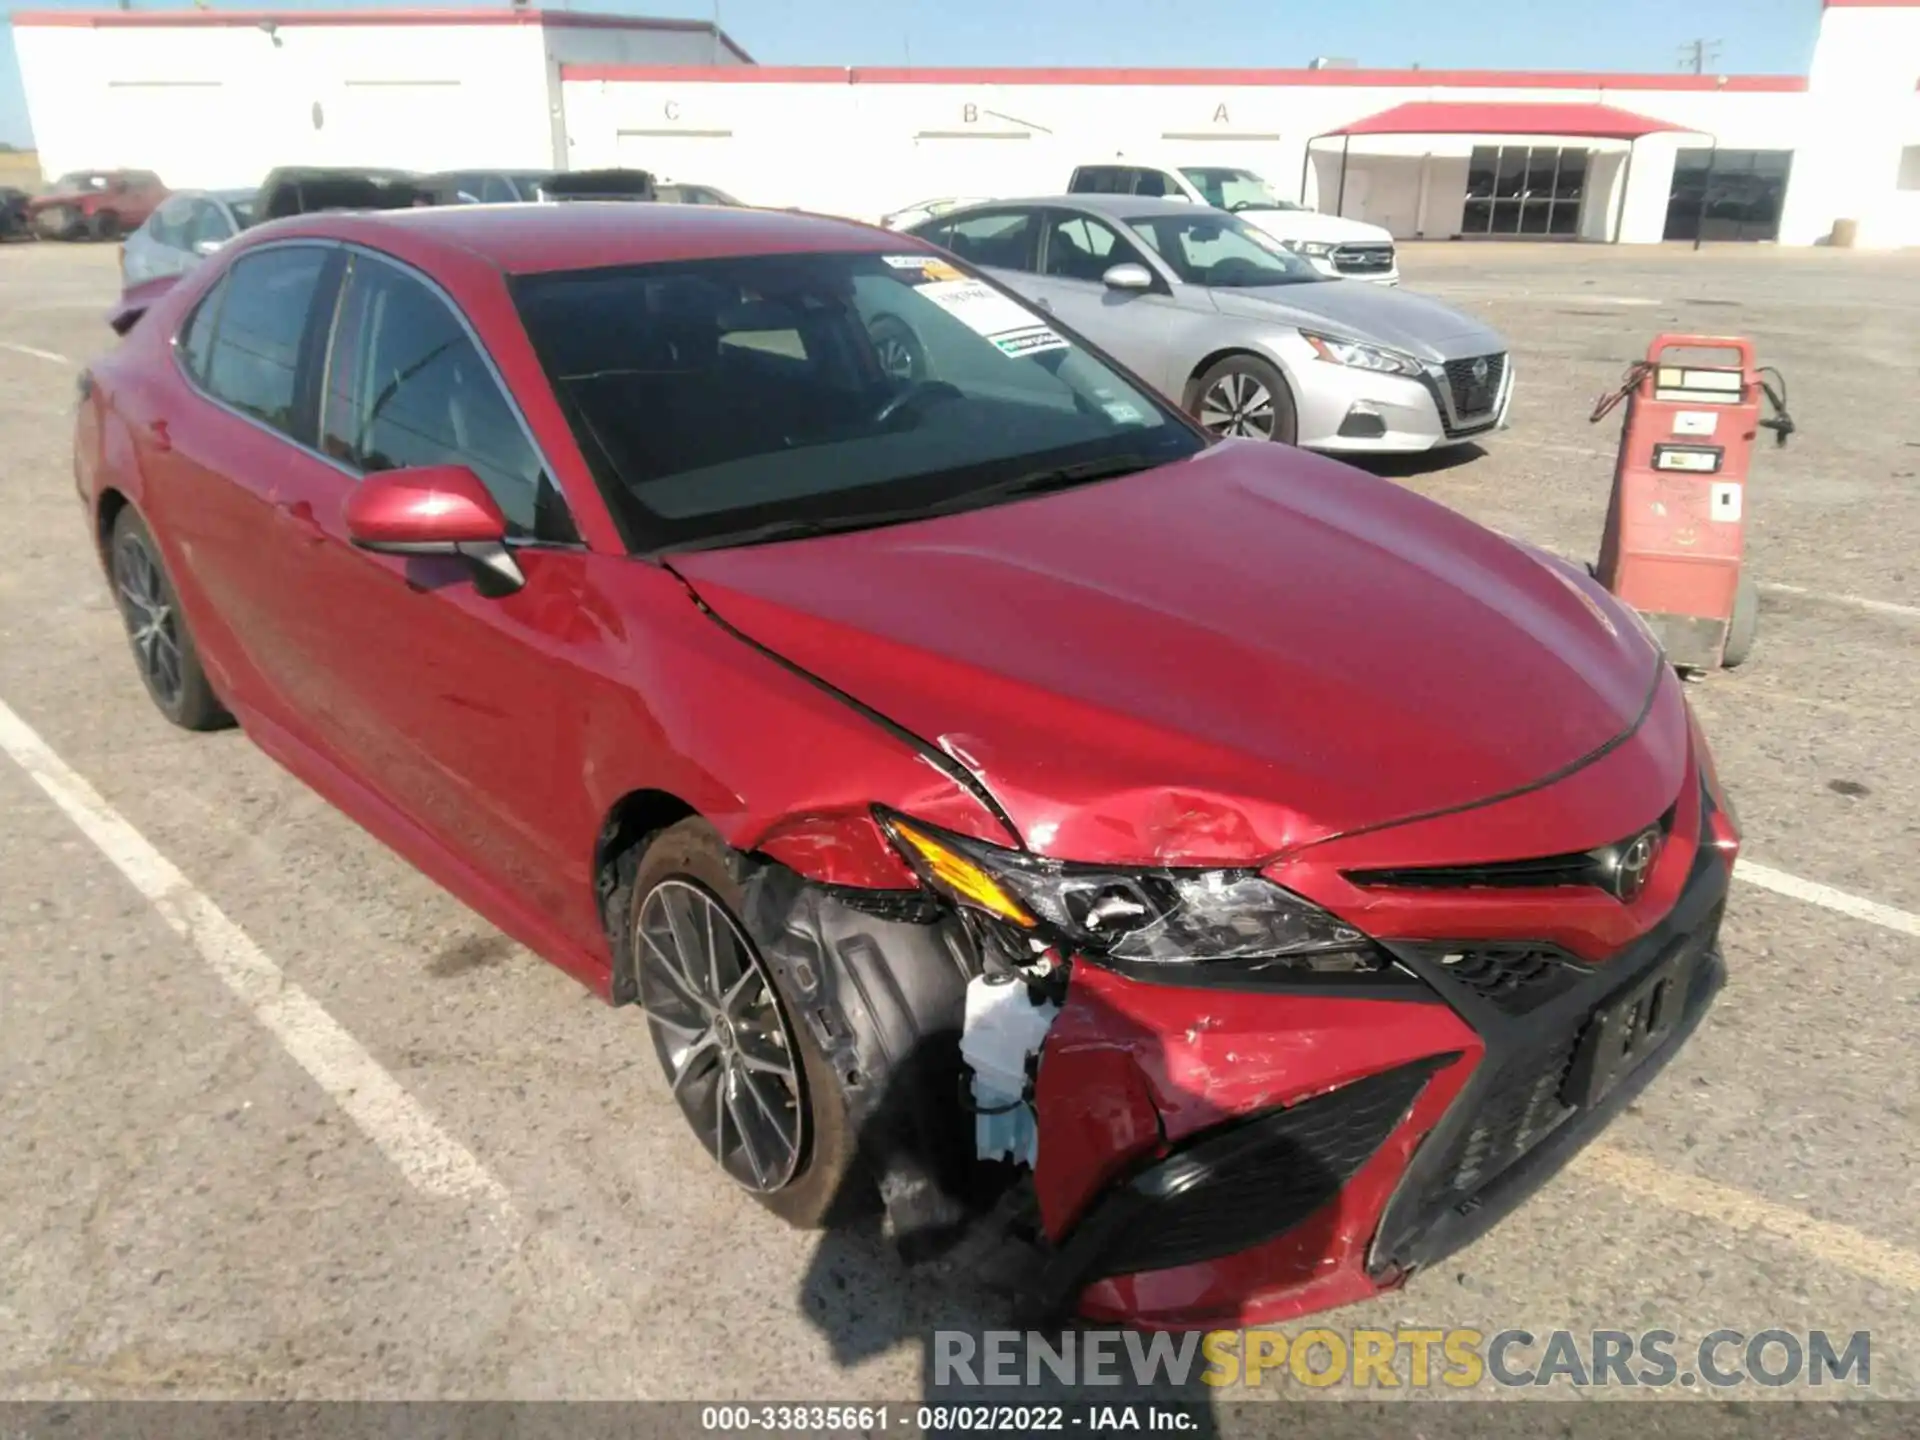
775	396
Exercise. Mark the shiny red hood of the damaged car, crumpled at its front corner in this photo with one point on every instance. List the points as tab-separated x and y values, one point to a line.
1214	661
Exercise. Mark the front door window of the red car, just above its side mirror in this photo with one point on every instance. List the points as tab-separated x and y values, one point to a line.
408	387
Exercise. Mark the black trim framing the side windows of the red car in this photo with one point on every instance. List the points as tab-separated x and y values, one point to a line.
314	372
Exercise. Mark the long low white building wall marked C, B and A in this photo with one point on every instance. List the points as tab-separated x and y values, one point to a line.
863	143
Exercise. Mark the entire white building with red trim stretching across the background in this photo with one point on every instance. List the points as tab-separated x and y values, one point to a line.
216	99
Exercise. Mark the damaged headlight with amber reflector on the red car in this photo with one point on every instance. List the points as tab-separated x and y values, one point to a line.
1136	917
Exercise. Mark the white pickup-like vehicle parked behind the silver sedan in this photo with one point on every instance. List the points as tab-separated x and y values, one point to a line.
1333	245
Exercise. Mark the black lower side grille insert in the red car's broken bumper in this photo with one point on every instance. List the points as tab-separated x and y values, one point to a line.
1251	1182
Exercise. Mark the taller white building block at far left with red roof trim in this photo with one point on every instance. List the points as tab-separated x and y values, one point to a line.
220	97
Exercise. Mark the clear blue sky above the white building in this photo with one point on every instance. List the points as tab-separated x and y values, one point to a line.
1623	36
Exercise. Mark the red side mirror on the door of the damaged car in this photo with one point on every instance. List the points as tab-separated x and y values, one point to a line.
435	510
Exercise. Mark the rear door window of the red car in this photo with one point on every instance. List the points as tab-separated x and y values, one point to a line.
254	354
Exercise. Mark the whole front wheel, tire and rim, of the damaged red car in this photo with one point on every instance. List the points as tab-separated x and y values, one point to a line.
748	1078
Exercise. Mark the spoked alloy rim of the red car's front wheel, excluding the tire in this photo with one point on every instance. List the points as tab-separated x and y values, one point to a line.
721	1036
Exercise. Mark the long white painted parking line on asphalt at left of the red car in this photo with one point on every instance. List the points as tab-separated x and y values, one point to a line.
387	1115
